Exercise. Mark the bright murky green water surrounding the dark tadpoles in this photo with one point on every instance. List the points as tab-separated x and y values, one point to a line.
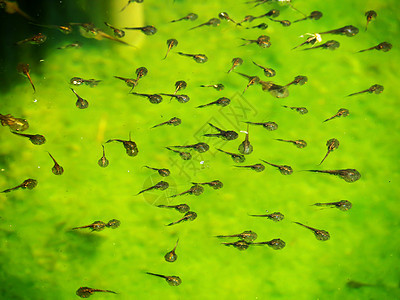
41	258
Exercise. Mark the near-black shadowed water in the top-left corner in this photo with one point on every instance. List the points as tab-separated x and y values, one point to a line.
14	28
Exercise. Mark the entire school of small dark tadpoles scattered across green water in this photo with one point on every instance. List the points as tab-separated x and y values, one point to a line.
242	159
